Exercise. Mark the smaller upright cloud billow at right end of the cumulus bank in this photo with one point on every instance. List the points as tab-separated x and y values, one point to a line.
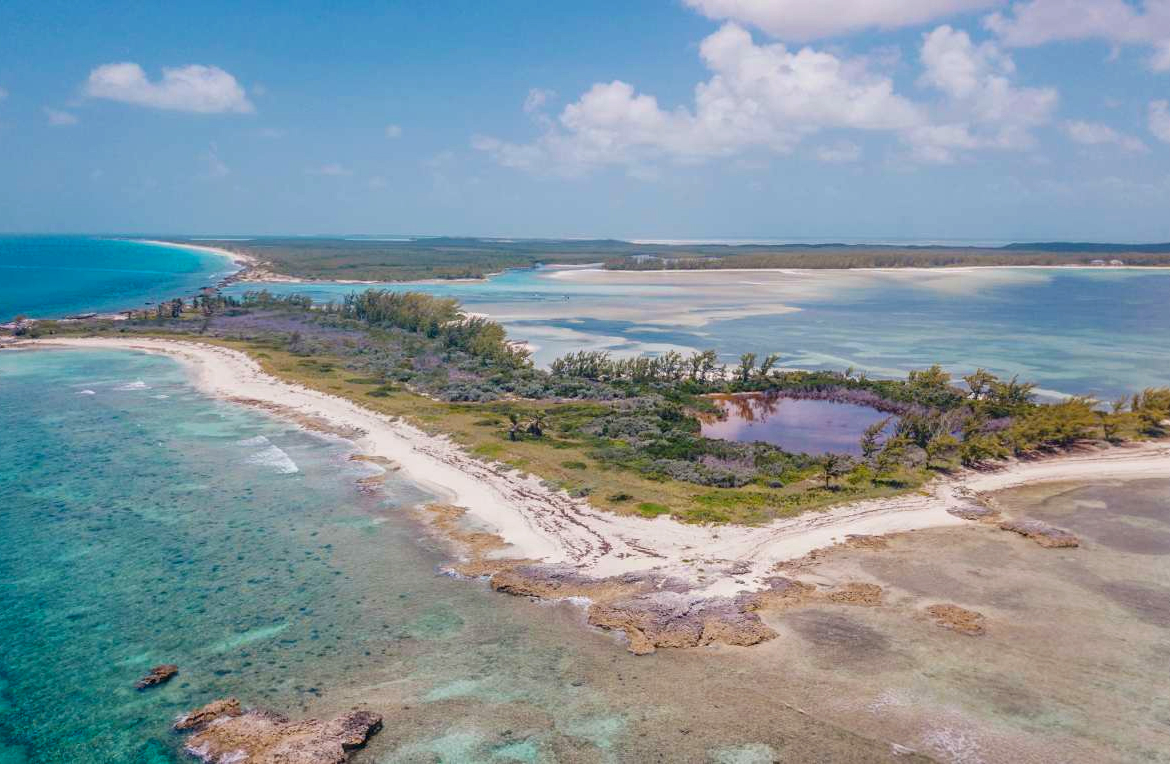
983	106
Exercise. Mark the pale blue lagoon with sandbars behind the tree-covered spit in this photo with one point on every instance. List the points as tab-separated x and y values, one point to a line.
1090	332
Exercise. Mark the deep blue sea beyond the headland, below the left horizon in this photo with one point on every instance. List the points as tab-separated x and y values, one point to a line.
54	277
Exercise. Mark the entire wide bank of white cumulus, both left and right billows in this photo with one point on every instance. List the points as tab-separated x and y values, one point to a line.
773	98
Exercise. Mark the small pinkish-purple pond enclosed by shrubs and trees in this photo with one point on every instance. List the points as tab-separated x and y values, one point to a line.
797	426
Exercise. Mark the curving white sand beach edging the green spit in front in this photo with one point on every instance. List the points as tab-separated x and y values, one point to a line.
541	524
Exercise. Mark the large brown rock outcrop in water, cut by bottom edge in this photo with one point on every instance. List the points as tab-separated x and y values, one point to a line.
226	735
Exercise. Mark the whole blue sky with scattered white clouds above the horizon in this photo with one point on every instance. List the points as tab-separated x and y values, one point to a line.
852	120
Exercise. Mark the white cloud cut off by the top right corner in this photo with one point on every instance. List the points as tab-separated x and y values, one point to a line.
1035	23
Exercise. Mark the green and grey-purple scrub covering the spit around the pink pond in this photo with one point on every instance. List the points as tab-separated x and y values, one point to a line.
627	432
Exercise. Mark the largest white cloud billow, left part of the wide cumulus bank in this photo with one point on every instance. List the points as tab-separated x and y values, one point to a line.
759	97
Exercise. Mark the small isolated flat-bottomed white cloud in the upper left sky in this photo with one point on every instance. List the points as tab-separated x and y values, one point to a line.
195	88
